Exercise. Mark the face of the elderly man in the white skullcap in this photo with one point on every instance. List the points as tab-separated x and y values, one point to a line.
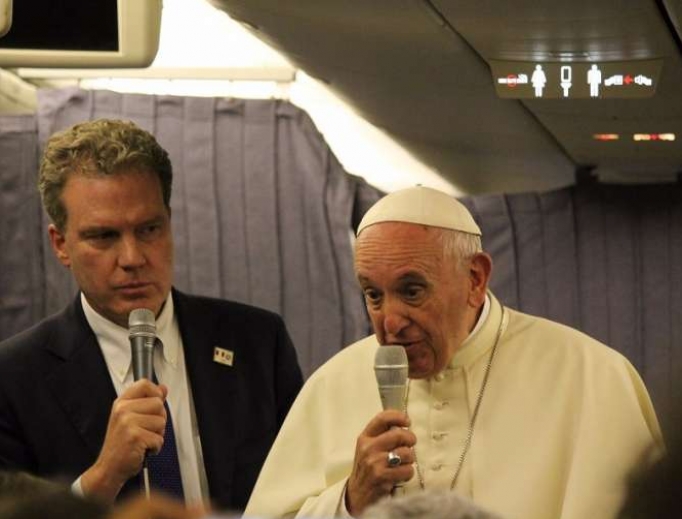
415	296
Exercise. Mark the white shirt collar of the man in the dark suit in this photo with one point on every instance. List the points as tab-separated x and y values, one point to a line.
113	339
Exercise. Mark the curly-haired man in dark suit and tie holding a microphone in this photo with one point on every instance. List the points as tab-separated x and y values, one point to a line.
69	407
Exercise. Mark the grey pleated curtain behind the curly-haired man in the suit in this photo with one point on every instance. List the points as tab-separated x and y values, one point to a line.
262	211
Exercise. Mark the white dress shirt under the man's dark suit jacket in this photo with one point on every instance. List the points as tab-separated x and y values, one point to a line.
169	366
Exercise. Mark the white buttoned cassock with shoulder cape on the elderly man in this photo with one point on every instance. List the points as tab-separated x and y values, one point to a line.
563	422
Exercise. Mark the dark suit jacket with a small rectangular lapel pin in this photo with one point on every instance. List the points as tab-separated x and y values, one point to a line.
56	392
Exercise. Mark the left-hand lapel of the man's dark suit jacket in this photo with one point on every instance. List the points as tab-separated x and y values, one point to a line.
80	381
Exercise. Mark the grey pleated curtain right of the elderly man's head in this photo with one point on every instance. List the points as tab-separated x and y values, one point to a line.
605	259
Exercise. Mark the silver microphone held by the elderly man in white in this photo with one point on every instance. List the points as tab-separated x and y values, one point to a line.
390	368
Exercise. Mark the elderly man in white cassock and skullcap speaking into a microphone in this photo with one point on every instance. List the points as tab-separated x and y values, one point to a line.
527	417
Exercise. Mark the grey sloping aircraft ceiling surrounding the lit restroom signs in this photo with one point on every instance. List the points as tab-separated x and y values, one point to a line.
419	70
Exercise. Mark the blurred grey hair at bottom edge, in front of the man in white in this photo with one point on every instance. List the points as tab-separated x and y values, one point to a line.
429	504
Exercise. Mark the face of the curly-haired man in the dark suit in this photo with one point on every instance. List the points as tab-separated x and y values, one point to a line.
117	242
